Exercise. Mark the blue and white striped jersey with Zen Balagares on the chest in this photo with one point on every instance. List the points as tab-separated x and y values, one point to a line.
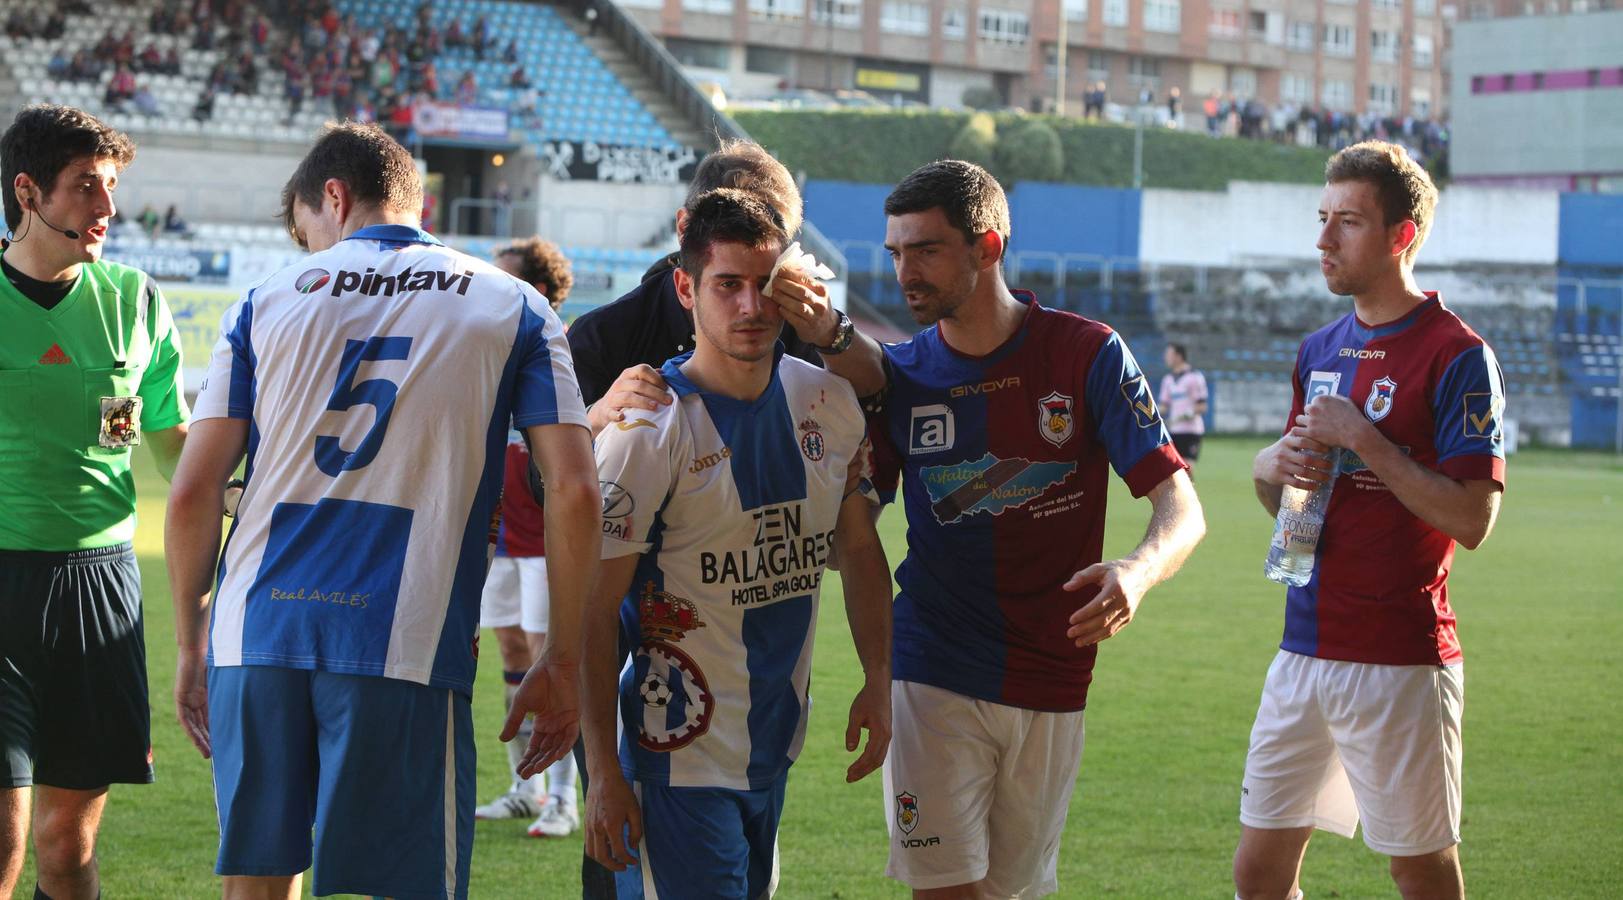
733	508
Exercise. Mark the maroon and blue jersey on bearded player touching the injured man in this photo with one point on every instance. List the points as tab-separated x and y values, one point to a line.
1005	463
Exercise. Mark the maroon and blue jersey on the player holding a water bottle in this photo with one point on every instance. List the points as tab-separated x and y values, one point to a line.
1380	581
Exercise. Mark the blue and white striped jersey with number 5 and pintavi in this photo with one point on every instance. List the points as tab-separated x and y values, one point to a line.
379	379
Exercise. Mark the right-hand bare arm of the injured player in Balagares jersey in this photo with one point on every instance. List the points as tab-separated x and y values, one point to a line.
867	588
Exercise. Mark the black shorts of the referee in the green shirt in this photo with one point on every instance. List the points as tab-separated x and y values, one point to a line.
72	671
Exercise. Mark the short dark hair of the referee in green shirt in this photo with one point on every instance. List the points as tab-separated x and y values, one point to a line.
45	139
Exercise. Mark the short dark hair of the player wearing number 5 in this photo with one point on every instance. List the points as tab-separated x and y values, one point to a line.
376	168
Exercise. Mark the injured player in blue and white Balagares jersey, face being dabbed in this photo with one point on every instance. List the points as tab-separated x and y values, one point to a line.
721	513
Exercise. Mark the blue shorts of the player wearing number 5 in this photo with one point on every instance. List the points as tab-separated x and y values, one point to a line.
382	769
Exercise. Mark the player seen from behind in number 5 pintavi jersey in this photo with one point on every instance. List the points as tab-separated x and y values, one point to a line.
371	387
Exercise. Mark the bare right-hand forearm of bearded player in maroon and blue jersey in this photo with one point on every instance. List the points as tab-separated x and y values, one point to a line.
1176	526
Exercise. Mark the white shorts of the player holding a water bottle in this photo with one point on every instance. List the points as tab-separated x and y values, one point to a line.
1337	742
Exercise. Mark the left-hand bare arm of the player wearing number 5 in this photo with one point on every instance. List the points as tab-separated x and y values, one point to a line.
197	492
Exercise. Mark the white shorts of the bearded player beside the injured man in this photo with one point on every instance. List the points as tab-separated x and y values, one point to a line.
978	791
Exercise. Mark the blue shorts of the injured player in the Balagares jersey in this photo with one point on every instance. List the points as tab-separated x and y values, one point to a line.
705	844
